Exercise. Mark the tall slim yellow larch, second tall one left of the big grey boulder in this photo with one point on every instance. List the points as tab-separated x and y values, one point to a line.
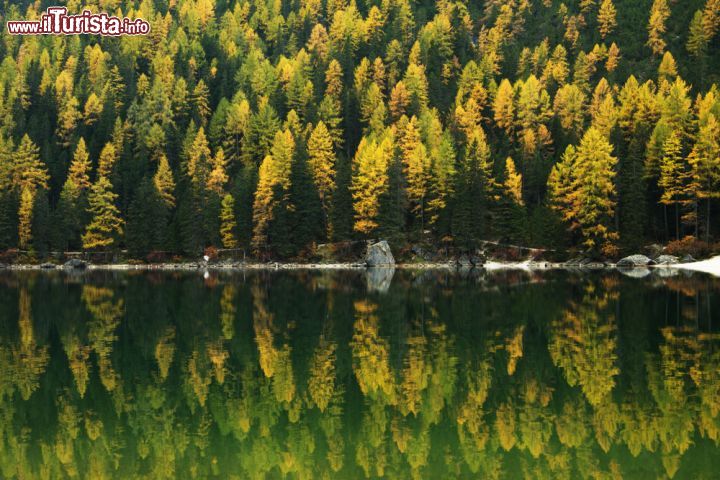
322	166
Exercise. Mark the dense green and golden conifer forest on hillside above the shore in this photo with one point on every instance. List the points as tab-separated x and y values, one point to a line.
275	126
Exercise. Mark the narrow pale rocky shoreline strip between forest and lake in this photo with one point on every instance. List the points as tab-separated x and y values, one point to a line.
710	266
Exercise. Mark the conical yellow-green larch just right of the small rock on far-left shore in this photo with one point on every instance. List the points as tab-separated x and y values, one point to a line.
106	225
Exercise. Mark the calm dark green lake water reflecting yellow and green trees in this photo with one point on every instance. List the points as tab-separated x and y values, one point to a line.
324	375
